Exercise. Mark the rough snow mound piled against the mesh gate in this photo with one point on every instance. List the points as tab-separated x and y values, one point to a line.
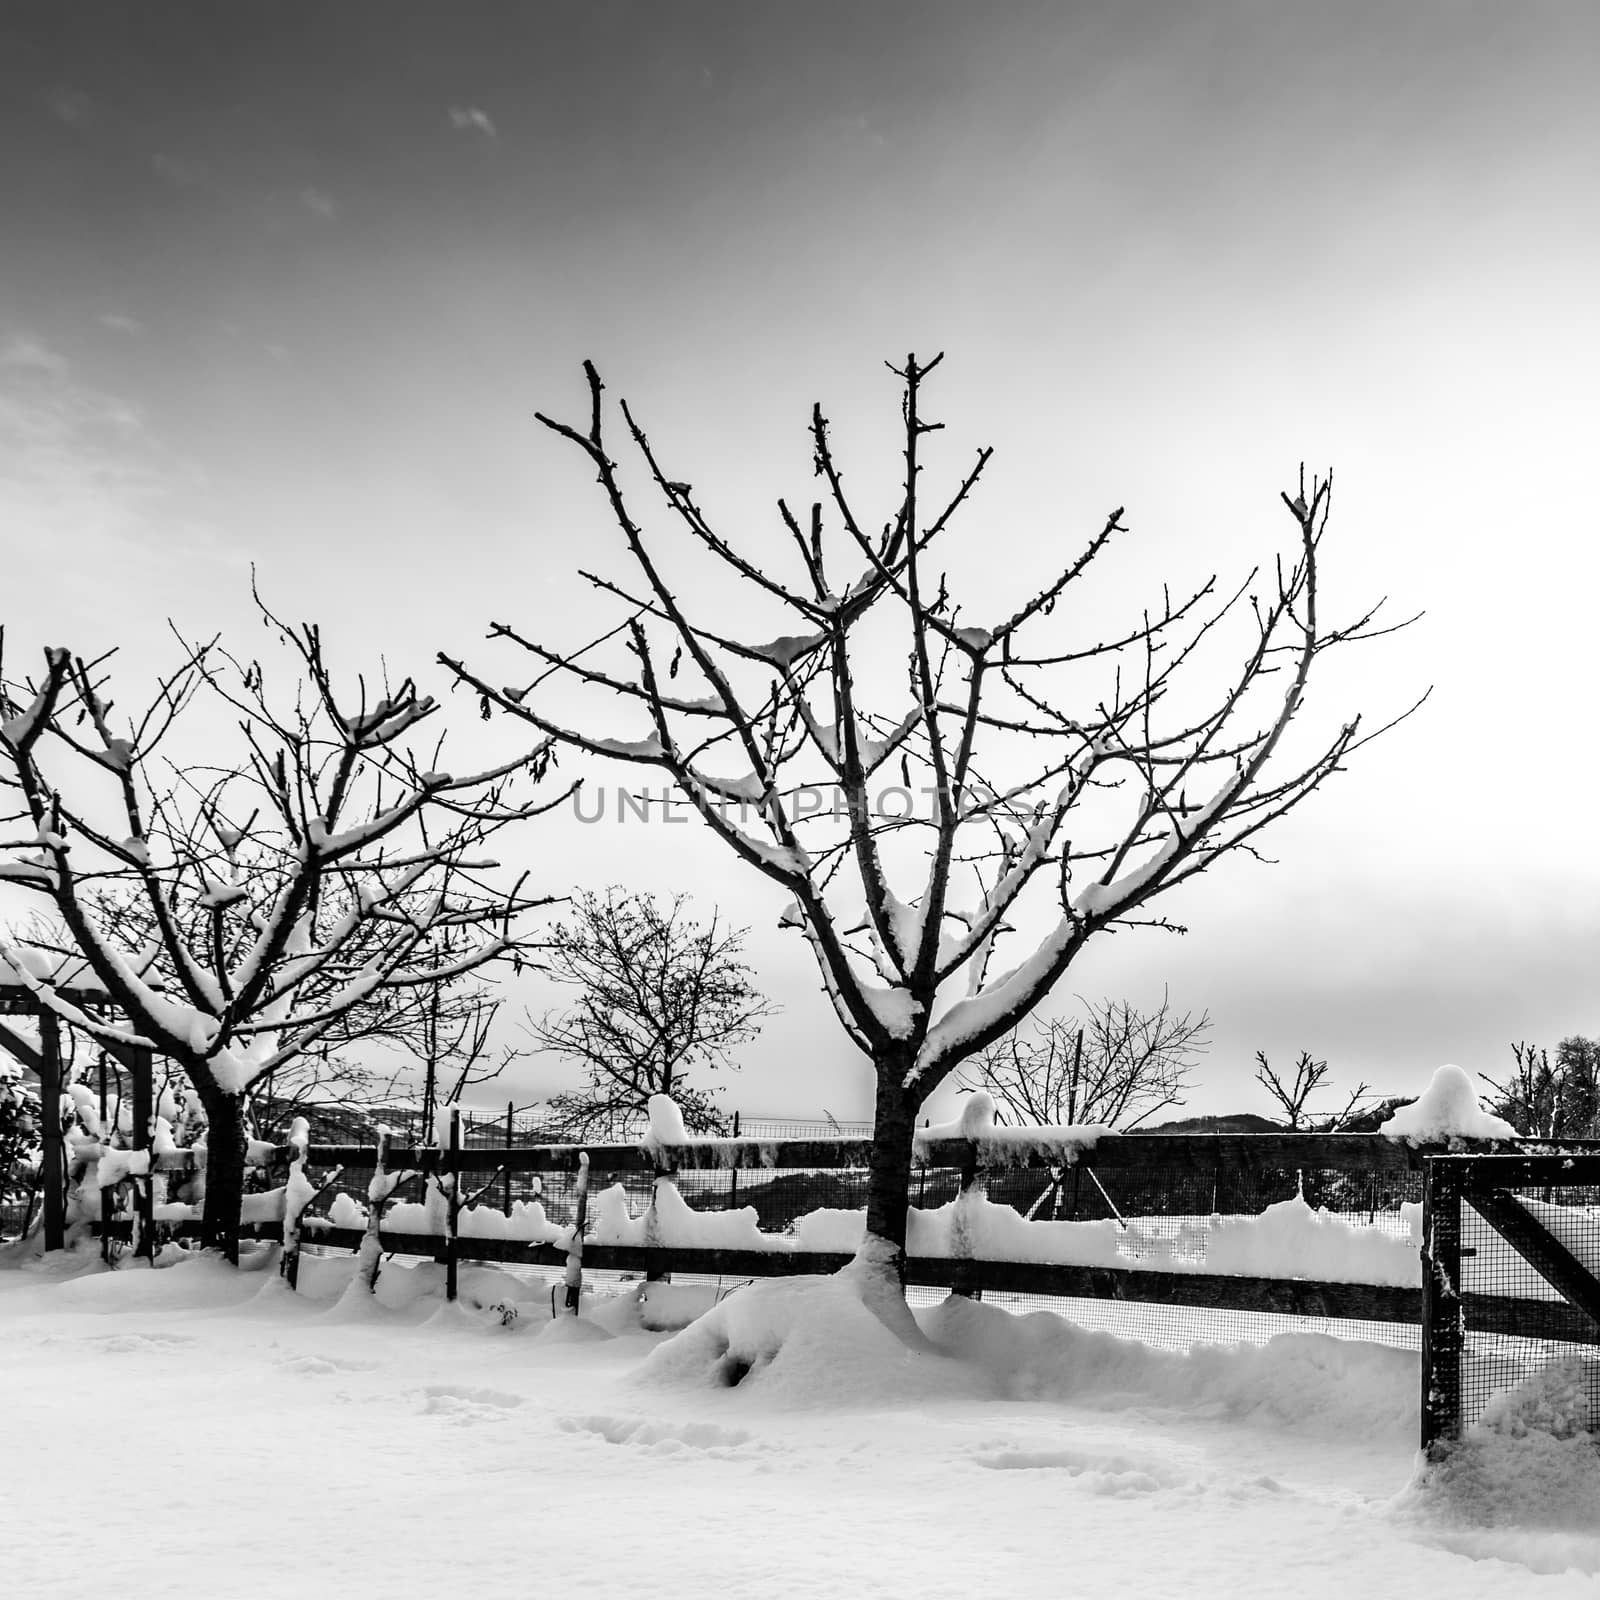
1532	1460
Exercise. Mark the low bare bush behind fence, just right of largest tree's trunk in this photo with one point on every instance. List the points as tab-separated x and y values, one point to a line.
1118	1066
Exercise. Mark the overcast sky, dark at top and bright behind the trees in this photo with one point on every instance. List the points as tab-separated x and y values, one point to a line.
286	284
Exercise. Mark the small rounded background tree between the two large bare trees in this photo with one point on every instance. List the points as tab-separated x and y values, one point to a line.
658	996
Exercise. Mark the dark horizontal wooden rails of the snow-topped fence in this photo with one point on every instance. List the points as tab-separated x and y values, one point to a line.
1222	1162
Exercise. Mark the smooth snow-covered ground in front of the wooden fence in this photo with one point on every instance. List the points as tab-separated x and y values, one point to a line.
198	1426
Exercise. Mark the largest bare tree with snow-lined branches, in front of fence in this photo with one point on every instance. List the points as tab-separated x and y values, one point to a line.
1066	766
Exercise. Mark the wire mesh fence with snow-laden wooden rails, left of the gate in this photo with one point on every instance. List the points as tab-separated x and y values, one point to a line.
1174	1241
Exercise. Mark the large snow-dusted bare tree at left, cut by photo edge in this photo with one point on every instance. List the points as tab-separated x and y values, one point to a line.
250	911
